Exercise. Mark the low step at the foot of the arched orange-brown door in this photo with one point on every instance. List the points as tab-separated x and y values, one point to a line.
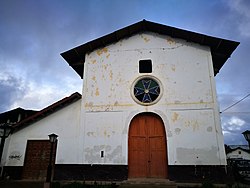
148	183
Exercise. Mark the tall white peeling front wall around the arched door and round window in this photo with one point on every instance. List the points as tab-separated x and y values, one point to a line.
188	106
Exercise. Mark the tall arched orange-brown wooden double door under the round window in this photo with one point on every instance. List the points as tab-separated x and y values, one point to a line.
147	153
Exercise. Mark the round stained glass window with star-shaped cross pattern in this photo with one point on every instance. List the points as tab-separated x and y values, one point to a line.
146	90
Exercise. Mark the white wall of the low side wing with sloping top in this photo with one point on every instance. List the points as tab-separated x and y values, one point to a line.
65	123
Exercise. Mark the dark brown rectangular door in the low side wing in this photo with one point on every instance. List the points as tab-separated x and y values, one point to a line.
37	159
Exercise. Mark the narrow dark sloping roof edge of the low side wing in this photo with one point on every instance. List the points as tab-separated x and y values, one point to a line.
47	111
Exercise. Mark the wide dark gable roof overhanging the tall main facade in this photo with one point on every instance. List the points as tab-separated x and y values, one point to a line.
221	49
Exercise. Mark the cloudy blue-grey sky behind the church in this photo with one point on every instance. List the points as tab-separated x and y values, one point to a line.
33	33
